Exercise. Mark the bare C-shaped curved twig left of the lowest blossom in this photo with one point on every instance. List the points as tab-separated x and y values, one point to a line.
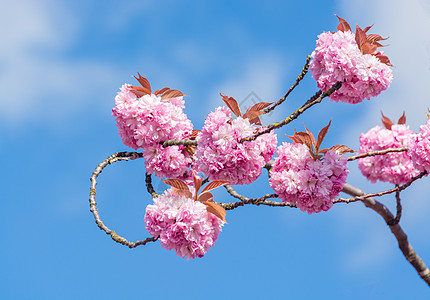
119	156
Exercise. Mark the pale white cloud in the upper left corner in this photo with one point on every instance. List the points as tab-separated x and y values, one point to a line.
36	81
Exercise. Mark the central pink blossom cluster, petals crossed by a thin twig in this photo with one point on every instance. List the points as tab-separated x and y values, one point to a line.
221	156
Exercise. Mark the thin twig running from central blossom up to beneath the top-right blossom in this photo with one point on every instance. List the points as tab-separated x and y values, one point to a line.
317	98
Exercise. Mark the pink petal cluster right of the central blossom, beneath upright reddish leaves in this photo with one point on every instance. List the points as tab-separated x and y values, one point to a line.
310	184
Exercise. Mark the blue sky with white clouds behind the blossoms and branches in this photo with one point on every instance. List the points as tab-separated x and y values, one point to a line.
61	65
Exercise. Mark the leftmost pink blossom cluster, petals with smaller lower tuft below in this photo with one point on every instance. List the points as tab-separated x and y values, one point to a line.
145	122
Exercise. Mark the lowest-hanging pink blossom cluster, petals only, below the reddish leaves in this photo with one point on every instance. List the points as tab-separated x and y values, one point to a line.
182	224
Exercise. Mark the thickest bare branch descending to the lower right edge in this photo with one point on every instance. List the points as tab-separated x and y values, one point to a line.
395	228
